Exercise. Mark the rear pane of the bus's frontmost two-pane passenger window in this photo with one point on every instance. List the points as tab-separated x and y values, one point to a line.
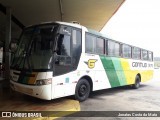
99	46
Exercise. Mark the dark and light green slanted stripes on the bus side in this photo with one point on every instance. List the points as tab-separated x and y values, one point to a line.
114	71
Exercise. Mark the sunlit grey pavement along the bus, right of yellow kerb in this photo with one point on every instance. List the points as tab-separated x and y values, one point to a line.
146	98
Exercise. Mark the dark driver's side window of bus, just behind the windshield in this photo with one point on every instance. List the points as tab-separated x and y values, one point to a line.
63	58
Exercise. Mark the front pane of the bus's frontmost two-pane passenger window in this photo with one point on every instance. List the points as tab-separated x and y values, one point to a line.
90	43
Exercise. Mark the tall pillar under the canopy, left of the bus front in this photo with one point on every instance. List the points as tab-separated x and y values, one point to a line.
7	42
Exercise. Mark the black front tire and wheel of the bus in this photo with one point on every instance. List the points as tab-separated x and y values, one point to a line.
82	90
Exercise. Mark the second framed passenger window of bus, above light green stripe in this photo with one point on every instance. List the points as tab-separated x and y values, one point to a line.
113	48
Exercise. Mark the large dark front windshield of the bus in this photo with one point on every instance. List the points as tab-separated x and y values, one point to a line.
35	48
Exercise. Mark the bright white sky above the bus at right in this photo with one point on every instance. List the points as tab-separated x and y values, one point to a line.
137	23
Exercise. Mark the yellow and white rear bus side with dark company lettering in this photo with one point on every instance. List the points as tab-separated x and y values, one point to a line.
133	67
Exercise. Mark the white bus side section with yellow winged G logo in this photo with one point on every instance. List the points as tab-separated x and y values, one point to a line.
91	65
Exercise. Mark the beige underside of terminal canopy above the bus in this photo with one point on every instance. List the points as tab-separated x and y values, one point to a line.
90	13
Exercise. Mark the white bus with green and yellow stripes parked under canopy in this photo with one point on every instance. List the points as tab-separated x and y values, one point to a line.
59	59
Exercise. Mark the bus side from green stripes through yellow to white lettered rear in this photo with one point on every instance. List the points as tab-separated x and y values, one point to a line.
122	71
